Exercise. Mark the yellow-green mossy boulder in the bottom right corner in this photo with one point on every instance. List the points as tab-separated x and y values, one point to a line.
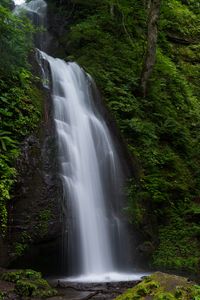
162	286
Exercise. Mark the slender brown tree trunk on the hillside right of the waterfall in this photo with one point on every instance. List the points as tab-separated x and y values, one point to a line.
149	62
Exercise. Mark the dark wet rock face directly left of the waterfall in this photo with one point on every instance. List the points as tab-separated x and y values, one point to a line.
35	214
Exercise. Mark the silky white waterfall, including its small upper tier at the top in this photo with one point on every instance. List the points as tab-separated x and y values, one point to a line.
95	245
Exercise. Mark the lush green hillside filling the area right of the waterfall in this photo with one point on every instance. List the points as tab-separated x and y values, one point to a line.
108	38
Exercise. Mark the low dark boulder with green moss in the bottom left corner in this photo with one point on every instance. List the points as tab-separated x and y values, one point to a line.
29	283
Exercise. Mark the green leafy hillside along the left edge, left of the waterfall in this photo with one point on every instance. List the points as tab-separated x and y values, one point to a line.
19	109
